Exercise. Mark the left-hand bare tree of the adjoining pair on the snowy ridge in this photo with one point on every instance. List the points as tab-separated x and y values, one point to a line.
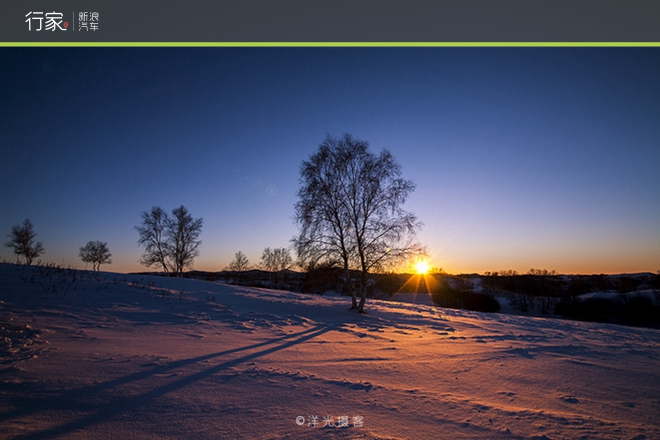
153	238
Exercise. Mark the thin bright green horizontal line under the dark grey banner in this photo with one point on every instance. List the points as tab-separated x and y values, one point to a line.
327	44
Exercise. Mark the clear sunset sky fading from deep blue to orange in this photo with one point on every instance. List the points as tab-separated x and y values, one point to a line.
523	158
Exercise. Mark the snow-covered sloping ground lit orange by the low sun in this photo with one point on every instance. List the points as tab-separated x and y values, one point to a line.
145	357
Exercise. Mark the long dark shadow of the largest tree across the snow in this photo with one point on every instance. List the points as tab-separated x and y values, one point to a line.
122	404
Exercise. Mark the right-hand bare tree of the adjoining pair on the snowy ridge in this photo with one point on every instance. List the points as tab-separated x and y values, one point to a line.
183	239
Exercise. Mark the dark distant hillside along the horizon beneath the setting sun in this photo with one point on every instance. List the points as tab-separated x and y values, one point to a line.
629	299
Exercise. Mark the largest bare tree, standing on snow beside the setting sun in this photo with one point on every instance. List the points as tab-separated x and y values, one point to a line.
349	211
